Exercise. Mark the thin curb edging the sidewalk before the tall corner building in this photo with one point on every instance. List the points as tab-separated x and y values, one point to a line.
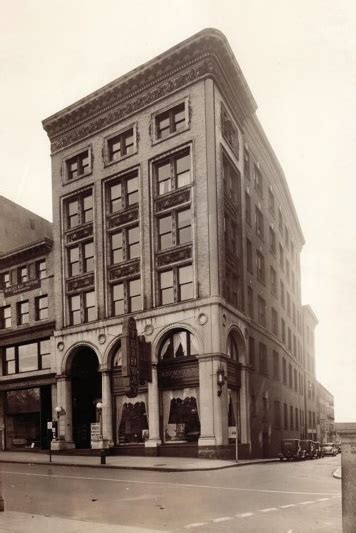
144	468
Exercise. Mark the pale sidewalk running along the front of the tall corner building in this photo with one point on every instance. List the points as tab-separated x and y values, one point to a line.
164	464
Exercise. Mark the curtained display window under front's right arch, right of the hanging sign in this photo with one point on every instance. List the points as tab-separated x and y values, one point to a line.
181	415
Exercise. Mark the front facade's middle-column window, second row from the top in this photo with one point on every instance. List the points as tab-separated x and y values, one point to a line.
123	192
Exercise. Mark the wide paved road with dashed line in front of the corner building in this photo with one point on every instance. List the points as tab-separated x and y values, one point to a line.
277	498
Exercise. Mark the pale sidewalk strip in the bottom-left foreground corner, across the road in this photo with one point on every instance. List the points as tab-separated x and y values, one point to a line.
15	522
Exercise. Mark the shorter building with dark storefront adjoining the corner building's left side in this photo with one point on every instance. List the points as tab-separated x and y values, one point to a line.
27	381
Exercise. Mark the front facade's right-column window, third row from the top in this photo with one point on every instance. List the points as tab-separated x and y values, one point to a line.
174	229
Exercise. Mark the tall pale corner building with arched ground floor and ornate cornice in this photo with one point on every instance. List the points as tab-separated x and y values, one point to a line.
170	206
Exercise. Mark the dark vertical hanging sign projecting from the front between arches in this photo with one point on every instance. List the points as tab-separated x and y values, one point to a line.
130	370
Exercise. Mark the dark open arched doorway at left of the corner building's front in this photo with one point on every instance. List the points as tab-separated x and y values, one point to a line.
86	392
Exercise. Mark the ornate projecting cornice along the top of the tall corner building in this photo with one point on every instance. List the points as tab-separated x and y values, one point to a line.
206	54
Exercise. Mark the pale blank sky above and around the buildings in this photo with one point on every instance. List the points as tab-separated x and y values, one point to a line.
299	59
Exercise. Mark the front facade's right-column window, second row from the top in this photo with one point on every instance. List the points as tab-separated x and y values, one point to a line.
173	172
